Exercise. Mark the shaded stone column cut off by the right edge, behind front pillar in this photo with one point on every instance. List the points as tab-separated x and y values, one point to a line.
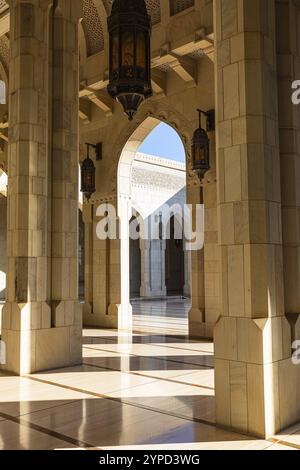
288	60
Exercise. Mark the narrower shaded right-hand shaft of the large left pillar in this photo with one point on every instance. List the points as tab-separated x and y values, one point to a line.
64	171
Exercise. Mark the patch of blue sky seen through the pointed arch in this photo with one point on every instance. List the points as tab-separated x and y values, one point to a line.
164	142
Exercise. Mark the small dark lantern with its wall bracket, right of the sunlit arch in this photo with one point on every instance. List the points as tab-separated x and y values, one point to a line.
200	144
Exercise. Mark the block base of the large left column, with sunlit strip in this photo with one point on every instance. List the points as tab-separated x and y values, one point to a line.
32	345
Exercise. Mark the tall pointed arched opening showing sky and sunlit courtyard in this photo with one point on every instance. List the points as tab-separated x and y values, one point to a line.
152	189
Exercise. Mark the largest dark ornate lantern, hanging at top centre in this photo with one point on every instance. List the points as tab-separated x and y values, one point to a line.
129	29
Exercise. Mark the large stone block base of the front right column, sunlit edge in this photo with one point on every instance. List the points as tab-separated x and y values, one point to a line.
257	383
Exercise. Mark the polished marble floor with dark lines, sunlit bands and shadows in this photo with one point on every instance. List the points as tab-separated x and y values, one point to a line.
153	389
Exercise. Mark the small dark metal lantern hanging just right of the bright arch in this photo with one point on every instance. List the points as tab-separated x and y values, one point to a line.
200	149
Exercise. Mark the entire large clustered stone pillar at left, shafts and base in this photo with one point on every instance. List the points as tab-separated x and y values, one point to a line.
41	318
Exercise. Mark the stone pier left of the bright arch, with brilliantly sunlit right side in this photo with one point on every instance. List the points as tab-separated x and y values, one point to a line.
107	302
